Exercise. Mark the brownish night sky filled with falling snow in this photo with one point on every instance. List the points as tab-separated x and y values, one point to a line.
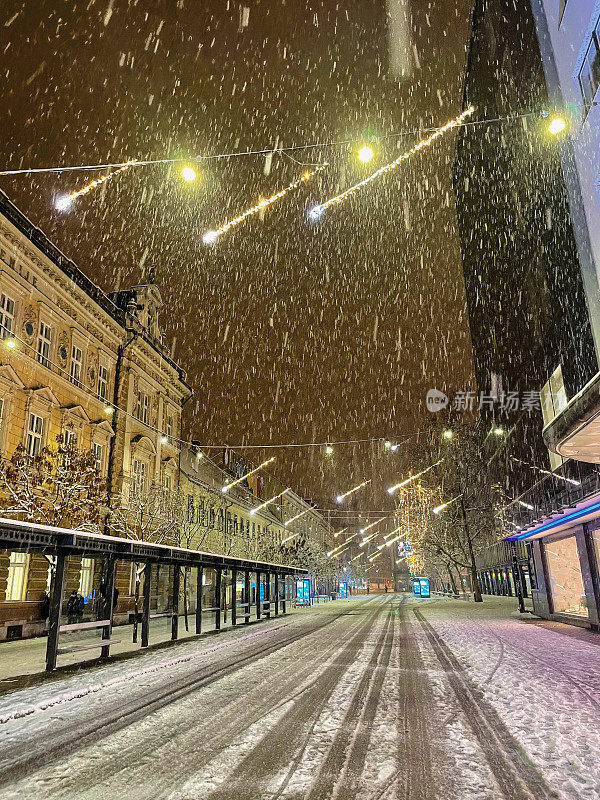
289	330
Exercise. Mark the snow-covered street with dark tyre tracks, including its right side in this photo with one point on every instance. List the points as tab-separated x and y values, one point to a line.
372	697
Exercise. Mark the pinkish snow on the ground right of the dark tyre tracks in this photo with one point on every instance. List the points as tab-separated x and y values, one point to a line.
544	683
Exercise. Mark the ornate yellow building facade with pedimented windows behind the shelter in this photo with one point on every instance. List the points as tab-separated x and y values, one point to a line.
90	368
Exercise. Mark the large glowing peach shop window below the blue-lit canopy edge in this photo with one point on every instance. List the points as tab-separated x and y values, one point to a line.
566	582
